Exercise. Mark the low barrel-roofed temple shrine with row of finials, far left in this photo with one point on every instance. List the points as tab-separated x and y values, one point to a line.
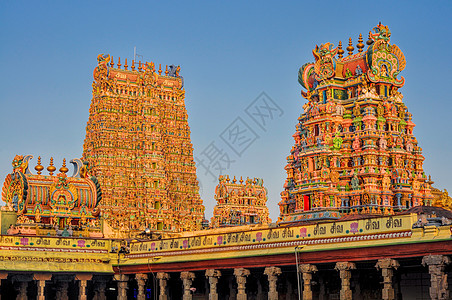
38	204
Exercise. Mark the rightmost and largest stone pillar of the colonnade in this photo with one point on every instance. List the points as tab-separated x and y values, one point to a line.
438	279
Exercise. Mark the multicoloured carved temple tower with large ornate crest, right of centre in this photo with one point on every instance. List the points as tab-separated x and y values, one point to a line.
354	152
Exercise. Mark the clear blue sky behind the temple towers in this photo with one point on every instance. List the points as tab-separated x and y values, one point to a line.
229	52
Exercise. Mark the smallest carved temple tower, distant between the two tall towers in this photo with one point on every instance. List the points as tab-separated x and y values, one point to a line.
240	203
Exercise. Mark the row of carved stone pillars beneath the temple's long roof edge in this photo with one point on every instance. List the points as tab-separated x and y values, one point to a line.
436	266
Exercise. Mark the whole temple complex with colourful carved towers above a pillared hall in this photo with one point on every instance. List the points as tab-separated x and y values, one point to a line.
359	218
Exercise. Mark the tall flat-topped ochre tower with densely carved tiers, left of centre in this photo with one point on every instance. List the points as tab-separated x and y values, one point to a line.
138	143
